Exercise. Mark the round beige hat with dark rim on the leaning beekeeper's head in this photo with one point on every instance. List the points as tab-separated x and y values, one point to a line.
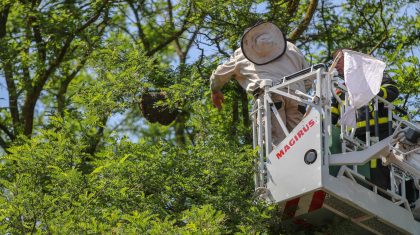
263	43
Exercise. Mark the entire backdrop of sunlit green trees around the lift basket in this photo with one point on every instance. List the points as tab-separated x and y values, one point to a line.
78	157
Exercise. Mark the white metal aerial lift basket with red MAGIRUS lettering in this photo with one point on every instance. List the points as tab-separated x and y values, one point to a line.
299	175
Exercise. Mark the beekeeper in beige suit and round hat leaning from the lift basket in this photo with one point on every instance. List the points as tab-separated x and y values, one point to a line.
264	54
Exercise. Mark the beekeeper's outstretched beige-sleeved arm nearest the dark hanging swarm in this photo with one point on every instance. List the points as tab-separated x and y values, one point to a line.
219	78
